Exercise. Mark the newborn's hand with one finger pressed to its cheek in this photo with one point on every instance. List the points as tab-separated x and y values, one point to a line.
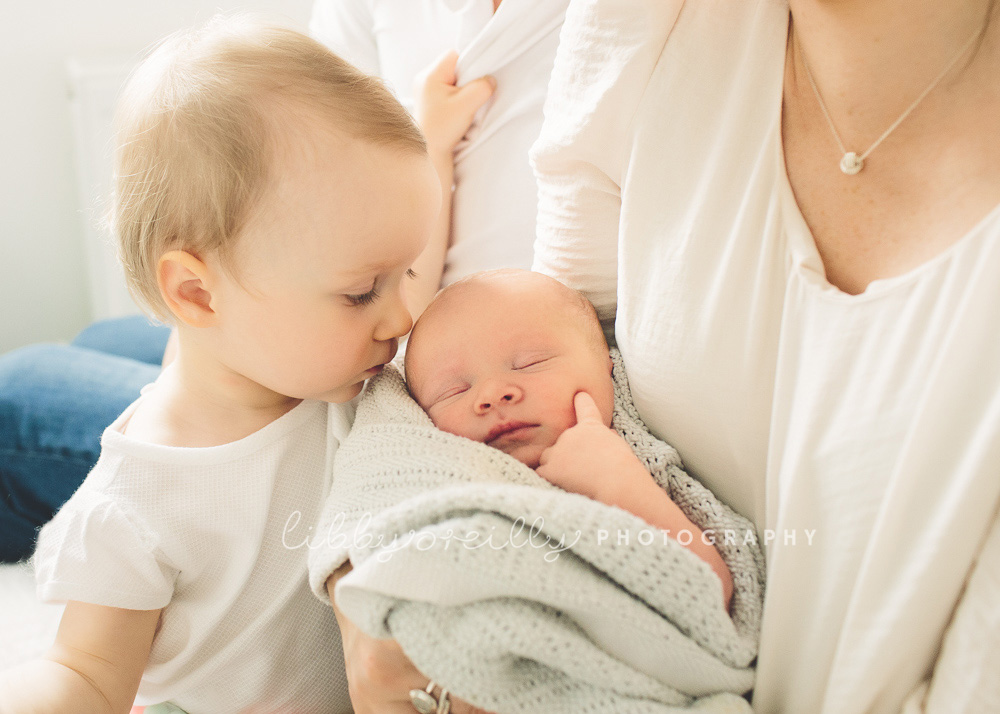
591	459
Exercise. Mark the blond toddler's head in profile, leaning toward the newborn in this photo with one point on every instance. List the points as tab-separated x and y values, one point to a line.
269	199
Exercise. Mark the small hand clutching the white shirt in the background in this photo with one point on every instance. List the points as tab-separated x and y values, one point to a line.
444	111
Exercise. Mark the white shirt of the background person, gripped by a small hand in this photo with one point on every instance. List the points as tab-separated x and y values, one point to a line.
494	205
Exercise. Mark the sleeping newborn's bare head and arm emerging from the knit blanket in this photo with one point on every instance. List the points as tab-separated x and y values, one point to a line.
518	361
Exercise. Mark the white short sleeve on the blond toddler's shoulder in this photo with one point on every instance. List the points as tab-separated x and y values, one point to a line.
93	551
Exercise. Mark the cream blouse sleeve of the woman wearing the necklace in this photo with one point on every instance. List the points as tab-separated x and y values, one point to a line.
607	52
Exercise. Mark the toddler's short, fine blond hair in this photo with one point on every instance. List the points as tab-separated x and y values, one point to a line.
196	132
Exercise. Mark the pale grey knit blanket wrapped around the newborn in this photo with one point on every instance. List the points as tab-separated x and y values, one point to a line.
520	597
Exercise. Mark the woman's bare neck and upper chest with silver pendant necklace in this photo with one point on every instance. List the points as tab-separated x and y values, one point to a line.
934	176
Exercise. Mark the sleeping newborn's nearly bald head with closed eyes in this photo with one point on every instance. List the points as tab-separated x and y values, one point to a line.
498	358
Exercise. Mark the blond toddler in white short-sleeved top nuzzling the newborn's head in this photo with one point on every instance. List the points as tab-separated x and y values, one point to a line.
269	201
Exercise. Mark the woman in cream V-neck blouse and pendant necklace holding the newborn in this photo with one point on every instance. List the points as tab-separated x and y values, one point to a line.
817	337
